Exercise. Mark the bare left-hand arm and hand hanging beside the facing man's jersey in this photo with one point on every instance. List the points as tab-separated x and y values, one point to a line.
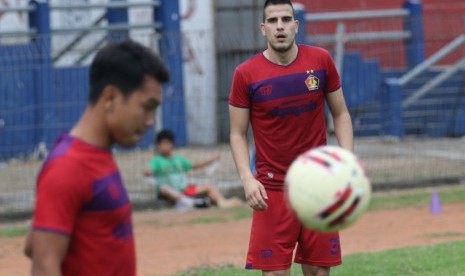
254	191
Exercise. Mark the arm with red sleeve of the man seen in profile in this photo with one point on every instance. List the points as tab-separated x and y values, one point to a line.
60	197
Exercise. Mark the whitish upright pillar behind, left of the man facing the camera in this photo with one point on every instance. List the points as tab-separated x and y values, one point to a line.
197	25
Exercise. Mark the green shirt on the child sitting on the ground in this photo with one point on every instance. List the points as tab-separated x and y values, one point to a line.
171	171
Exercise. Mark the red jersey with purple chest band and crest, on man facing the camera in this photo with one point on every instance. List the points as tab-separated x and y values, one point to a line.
286	107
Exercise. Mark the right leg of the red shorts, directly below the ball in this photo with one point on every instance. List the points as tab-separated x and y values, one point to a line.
318	249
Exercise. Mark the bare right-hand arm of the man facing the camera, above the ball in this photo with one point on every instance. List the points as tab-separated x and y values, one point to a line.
341	117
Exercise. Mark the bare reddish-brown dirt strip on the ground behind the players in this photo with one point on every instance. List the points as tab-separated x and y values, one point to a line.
168	242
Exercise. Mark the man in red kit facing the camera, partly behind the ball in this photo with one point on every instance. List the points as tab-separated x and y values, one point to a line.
281	92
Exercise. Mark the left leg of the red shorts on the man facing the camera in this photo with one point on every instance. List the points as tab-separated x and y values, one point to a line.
273	235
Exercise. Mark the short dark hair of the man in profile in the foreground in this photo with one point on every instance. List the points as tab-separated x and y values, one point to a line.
124	64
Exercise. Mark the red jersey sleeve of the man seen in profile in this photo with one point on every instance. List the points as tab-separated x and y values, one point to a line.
61	194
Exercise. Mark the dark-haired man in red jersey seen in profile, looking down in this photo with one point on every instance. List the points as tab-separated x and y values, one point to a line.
82	220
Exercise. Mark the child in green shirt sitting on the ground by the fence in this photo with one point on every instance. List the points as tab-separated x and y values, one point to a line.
170	170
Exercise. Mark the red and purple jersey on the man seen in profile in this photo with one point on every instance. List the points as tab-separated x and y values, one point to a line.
80	194
